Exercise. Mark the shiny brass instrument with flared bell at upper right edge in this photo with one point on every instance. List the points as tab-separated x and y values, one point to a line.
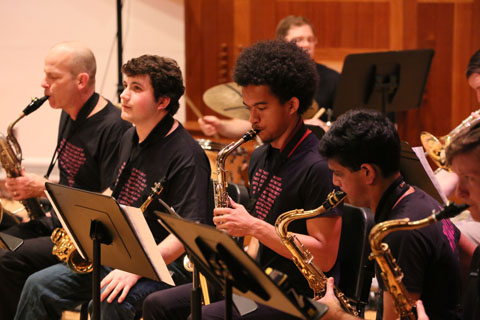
435	147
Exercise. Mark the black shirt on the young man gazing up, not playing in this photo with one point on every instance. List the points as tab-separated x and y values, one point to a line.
178	158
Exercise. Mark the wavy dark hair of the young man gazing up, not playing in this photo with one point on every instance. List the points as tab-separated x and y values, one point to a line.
165	76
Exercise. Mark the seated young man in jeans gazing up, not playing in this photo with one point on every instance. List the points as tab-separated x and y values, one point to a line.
157	147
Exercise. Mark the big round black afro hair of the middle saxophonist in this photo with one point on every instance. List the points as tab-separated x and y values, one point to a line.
282	66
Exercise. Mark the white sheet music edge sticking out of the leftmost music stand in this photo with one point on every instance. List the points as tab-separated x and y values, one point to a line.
139	224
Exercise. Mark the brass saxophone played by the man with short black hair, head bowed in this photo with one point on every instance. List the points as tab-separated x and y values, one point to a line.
302	258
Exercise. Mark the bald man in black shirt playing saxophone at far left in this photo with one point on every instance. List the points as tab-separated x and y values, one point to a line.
86	160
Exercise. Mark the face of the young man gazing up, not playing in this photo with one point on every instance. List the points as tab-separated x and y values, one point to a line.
137	100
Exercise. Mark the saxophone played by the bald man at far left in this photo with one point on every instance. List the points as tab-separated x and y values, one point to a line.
11	157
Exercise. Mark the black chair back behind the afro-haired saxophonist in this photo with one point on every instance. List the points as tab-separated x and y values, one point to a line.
356	271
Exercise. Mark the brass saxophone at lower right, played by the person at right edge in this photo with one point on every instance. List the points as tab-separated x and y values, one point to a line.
390	271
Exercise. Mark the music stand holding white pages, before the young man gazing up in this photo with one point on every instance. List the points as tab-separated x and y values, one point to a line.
92	219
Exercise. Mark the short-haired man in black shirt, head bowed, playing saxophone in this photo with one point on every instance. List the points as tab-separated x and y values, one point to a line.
363	151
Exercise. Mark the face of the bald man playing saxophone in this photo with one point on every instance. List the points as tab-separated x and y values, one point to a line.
59	84
